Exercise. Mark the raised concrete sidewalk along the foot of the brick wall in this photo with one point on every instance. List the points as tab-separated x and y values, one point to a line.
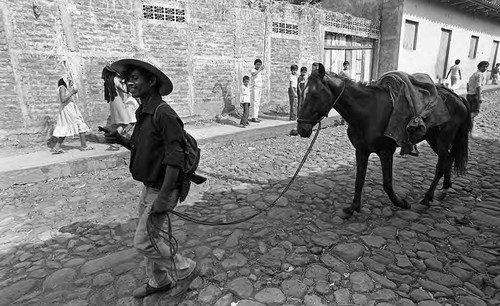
43	165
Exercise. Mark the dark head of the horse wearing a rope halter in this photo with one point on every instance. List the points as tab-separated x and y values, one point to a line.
318	99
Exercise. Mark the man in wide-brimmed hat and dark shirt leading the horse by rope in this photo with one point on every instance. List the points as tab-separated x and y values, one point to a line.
156	160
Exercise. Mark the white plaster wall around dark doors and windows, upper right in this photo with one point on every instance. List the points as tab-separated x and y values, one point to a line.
431	18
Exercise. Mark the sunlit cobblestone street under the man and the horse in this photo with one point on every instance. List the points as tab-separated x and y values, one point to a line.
69	241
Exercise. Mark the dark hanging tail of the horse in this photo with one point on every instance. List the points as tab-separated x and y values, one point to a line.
460	145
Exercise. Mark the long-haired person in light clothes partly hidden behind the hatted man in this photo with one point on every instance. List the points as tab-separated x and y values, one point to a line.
115	93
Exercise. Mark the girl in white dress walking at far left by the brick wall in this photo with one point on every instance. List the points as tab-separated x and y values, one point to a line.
69	119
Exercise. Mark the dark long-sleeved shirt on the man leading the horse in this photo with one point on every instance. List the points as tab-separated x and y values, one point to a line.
156	145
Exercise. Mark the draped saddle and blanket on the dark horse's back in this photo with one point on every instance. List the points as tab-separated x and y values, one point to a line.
417	106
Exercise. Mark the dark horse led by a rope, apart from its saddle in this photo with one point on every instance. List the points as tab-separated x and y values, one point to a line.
367	110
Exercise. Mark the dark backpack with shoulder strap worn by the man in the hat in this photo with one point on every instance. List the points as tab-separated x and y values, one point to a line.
191	151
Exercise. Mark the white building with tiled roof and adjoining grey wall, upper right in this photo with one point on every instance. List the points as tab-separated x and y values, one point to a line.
429	35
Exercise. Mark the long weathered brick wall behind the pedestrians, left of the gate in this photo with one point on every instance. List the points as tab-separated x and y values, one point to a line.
206	56
